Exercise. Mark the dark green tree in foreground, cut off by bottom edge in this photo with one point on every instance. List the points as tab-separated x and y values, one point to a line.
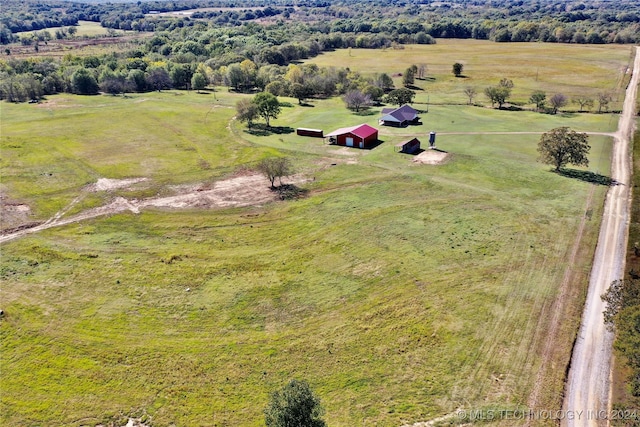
295	405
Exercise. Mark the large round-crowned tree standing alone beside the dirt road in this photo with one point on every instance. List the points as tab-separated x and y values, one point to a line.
562	146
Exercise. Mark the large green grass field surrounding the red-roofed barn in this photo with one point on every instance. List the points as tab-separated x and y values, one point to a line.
401	292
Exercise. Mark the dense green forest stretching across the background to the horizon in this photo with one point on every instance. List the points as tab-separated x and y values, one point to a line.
248	45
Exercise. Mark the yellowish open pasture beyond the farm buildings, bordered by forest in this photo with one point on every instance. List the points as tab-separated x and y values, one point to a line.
570	69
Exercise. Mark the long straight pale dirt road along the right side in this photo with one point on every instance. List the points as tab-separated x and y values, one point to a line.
588	385
